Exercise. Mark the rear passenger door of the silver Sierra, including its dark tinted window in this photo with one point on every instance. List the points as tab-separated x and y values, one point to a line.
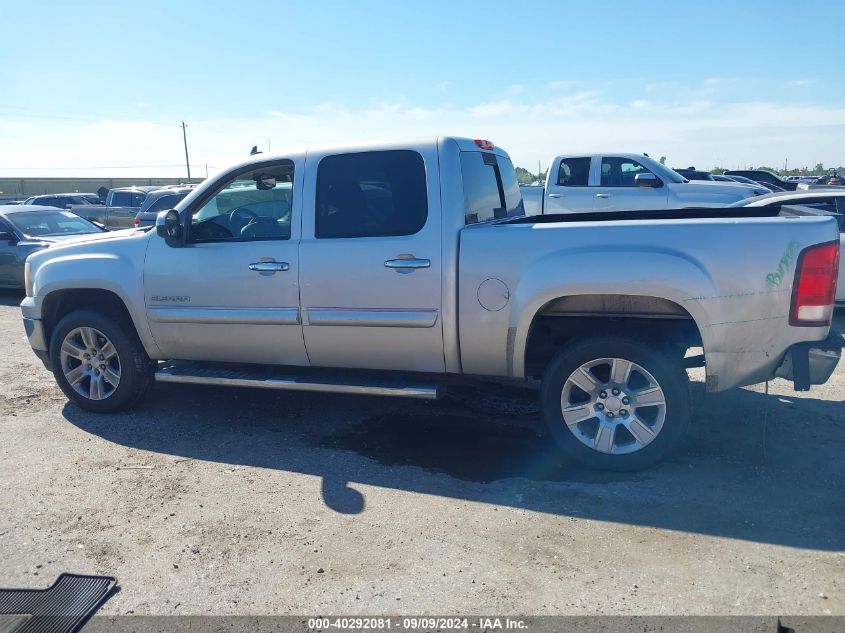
370	260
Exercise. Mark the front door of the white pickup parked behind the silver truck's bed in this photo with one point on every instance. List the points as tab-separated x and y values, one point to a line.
618	191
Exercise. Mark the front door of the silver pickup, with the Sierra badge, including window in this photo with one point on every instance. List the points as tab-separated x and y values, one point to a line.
231	293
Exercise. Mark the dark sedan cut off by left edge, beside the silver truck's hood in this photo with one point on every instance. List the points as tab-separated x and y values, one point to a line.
25	229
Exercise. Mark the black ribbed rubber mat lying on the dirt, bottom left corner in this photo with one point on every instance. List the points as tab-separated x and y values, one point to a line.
62	608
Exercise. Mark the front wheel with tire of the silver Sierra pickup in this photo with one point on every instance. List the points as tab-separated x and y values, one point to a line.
125	361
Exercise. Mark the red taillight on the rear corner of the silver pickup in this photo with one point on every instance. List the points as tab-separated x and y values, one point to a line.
814	290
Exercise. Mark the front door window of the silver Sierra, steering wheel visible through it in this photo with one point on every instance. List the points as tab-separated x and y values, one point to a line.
253	205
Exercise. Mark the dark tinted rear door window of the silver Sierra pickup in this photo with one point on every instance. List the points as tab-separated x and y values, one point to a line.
371	194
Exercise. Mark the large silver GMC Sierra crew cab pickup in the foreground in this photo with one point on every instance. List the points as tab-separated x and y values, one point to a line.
400	268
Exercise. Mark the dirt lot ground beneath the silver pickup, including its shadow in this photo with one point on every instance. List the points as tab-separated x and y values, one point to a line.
218	501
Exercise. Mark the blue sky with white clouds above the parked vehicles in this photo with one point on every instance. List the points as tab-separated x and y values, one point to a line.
104	86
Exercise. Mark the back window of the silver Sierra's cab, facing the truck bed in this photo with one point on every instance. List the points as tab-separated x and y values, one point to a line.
491	190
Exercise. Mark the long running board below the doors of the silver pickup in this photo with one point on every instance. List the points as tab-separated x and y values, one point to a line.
331	381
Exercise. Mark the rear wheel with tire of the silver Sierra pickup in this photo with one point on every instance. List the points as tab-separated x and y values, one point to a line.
641	431
